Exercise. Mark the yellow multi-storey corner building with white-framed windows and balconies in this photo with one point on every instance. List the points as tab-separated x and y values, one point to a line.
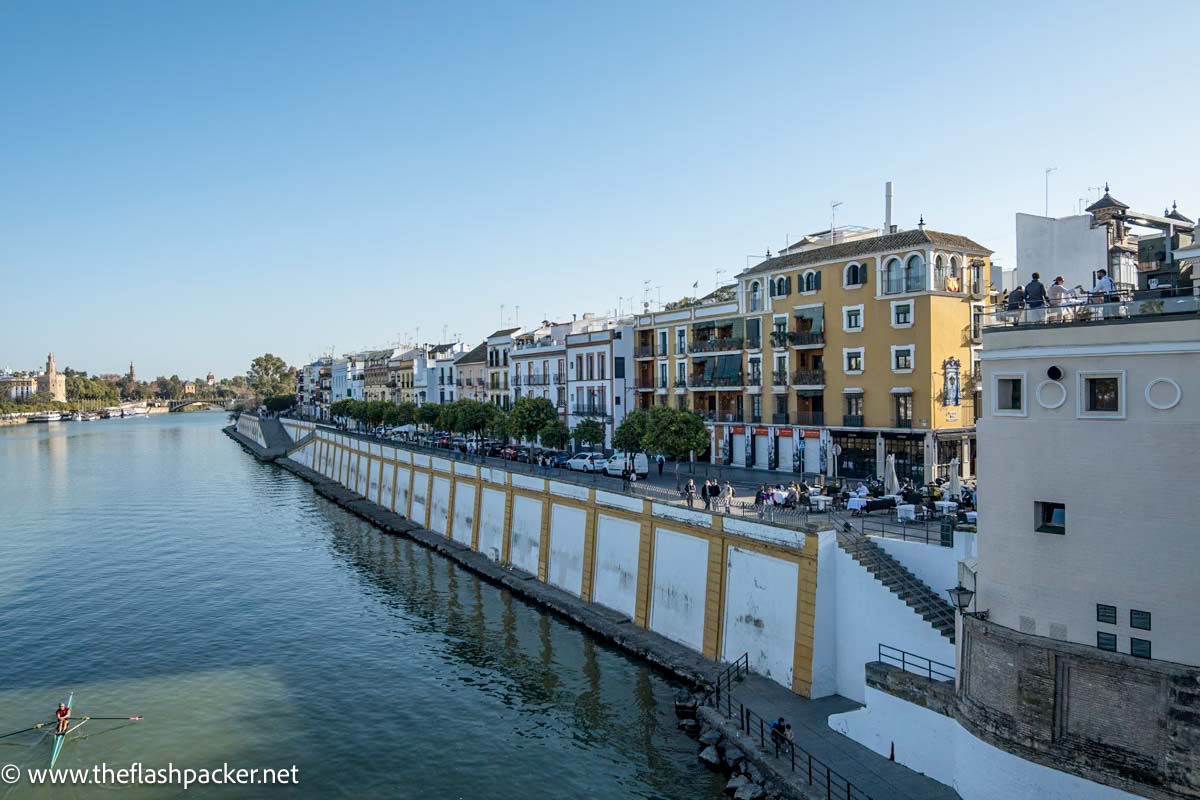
835	354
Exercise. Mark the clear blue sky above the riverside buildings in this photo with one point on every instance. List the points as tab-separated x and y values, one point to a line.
193	184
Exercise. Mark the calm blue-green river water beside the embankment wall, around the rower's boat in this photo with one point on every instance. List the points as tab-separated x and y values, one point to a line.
154	569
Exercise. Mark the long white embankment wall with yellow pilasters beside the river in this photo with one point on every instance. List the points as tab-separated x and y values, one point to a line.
713	587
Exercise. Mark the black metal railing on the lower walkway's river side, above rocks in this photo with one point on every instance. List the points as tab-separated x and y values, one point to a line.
771	741
